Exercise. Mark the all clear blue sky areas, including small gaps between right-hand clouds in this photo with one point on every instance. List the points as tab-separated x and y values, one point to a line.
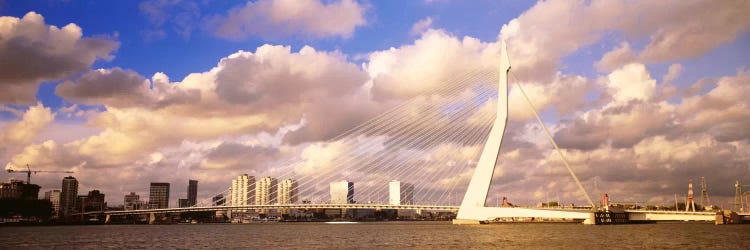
389	25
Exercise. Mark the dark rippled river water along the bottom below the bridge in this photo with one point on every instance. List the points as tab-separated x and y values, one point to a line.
386	235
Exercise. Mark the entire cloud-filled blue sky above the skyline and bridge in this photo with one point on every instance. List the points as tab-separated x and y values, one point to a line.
640	95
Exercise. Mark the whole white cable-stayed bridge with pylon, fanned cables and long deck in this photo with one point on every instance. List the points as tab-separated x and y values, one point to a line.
439	148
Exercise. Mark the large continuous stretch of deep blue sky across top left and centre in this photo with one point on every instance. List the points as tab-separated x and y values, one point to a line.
178	56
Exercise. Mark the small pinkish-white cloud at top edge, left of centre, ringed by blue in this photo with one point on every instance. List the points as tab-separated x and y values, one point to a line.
280	18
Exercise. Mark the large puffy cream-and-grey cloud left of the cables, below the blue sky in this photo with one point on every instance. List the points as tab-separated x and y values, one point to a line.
246	93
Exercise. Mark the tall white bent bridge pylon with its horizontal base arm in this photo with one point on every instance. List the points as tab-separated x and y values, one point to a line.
472	209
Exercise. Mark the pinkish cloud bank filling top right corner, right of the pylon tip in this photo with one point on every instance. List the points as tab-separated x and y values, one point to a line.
550	30
